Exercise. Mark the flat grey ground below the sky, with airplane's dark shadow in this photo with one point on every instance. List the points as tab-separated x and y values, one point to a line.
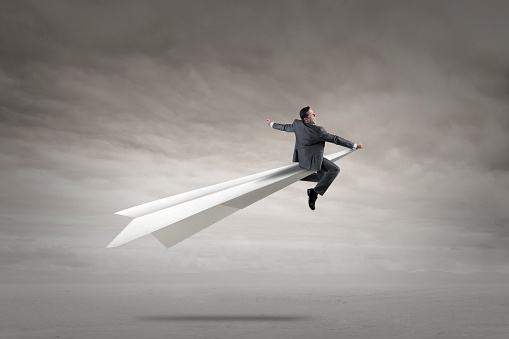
258	306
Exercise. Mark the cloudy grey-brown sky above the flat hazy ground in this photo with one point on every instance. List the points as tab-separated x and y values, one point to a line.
108	104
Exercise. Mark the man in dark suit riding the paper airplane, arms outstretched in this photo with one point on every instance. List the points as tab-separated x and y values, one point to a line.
309	144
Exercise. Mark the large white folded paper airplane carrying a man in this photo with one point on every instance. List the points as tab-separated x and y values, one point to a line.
178	217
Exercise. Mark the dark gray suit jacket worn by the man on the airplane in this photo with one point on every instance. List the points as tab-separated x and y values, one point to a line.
309	142
